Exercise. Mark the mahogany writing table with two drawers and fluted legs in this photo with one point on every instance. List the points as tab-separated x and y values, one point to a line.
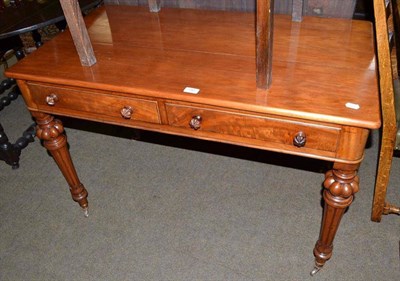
322	102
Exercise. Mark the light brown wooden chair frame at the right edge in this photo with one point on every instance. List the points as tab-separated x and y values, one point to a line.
386	18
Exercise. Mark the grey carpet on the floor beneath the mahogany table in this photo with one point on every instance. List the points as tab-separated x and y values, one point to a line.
168	208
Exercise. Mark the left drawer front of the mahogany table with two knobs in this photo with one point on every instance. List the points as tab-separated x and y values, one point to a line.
65	100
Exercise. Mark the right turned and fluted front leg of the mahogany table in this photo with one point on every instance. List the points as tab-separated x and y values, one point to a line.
340	185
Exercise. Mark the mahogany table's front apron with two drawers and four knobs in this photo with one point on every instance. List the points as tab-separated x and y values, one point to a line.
324	141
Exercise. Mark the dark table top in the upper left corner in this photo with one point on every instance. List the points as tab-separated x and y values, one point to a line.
30	15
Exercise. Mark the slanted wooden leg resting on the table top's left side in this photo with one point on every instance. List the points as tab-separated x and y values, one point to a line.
74	18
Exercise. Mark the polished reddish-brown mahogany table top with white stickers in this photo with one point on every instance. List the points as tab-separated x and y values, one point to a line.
319	72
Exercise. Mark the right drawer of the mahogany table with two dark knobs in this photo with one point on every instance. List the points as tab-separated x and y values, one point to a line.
272	130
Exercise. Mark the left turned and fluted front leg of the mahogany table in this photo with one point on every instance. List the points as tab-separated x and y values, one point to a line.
51	131
